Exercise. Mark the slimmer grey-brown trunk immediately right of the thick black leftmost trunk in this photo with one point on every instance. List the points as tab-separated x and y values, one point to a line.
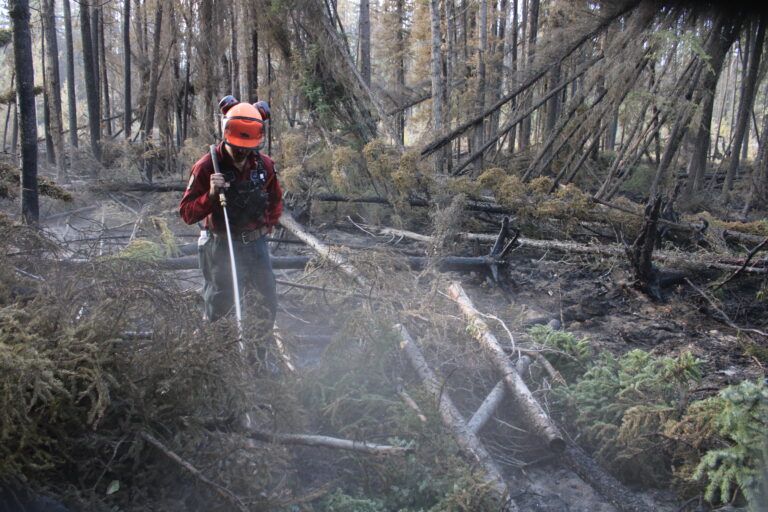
53	85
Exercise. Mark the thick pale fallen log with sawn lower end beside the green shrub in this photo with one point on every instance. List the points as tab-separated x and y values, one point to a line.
536	417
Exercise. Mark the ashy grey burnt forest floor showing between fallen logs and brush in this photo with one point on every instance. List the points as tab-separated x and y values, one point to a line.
591	297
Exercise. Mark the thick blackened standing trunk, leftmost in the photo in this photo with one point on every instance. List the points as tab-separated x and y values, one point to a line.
25	99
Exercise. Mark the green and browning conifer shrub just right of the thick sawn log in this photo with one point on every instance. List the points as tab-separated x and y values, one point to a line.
621	406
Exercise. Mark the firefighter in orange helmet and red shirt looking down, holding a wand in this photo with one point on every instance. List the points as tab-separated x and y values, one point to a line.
253	200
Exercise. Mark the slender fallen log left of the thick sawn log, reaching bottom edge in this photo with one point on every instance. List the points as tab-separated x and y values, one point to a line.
466	439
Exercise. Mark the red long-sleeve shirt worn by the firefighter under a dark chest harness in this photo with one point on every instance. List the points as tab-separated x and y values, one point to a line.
196	204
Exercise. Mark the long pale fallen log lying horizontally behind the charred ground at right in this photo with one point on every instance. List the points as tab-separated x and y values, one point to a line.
689	261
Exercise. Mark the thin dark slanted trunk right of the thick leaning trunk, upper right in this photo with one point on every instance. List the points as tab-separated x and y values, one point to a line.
745	104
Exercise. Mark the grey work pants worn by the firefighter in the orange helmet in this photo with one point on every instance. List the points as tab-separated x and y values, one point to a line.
255	277
